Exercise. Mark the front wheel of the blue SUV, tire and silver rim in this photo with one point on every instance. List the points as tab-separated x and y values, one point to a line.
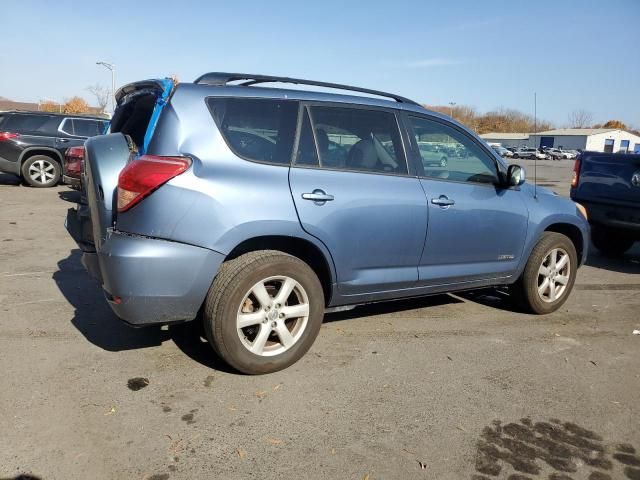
549	275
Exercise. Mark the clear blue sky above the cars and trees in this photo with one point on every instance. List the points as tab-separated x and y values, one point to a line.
488	54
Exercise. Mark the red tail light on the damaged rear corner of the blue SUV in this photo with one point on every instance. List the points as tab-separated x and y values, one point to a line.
143	176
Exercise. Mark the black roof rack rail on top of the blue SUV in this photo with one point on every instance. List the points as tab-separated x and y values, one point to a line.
221	79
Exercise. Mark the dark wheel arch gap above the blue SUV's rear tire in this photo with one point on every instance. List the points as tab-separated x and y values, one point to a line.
304	249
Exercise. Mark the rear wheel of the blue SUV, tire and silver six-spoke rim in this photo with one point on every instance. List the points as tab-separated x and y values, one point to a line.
263	311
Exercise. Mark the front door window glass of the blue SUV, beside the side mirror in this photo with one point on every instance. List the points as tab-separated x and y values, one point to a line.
448	154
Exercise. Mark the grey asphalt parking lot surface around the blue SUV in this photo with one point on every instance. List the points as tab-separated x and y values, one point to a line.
444	387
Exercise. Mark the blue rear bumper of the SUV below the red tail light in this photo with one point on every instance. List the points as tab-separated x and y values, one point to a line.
148	280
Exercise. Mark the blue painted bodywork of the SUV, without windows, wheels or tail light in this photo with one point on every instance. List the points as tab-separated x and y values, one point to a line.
380	237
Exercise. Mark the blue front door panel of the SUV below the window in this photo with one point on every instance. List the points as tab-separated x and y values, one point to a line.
480	236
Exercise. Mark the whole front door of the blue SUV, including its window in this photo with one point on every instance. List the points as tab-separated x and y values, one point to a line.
476	229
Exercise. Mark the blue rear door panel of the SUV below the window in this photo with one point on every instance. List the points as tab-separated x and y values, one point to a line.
375	231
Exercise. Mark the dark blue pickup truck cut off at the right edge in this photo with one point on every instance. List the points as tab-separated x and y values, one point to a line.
608	186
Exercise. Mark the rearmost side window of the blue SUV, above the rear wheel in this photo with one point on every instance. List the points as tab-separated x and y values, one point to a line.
260	130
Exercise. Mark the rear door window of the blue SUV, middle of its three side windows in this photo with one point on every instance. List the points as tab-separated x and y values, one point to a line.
355	139
